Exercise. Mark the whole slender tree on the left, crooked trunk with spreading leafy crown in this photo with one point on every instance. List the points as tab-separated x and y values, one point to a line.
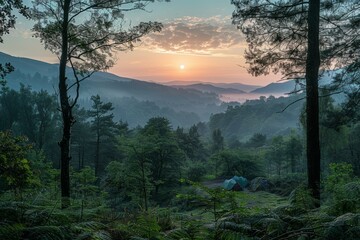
83	34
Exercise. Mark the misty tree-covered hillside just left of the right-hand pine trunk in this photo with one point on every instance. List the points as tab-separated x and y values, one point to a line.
259	116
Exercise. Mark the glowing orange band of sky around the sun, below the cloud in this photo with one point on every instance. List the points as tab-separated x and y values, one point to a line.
139	64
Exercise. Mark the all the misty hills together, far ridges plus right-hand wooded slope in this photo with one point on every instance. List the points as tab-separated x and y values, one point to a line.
183	103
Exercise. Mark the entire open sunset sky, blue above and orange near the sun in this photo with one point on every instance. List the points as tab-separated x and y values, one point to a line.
198	43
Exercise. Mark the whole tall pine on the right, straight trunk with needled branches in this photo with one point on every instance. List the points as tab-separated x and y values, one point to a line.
284	37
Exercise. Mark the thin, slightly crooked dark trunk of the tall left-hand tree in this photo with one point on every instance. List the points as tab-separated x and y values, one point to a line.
66	112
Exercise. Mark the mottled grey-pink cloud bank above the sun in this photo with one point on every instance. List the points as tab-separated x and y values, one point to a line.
193	35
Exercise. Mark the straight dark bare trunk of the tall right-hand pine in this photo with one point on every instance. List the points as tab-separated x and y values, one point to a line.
312	100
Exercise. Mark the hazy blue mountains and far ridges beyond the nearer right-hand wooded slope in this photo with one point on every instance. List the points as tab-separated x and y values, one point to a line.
135	101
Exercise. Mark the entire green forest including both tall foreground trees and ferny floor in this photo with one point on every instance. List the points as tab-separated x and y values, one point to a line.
82	167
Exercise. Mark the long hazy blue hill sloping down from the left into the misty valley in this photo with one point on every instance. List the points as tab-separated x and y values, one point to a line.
41	75
